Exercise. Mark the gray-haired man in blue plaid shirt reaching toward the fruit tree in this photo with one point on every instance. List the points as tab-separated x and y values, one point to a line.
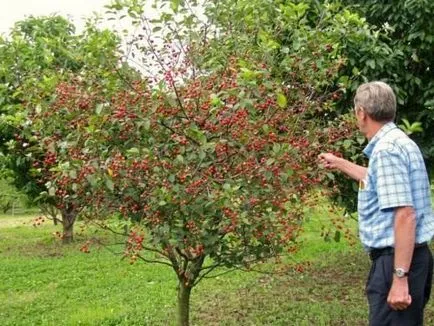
394	207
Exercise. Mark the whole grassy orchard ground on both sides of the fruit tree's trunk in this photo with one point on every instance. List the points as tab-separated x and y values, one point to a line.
47	283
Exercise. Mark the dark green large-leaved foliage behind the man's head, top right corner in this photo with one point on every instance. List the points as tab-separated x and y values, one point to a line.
407	28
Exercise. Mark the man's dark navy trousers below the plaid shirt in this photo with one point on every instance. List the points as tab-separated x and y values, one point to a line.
379	283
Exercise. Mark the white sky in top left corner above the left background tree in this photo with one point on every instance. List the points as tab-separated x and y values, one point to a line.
15	10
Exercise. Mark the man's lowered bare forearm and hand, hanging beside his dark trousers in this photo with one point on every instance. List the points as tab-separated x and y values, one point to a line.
405	236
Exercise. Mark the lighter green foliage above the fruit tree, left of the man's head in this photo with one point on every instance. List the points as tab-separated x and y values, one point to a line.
307	41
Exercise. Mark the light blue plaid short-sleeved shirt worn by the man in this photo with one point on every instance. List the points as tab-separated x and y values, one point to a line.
396	177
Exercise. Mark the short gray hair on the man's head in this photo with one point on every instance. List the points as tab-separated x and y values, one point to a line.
378	101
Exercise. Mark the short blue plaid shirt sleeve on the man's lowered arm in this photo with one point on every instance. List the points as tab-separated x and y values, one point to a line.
393	179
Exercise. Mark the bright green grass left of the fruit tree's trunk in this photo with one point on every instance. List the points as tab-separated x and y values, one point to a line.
46	283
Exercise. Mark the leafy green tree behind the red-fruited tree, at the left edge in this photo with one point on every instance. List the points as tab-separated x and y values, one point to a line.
38	54
